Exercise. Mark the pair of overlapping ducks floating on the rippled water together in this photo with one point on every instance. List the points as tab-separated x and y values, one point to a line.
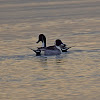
56	49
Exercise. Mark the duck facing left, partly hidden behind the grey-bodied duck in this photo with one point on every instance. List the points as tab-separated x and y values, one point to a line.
42	38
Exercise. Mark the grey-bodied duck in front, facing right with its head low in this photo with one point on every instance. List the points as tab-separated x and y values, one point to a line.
50	50
